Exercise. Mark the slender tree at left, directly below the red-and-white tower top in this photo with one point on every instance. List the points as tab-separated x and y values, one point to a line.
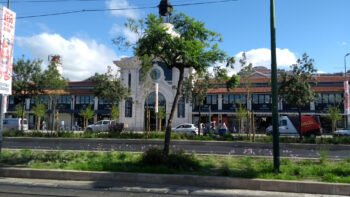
54	84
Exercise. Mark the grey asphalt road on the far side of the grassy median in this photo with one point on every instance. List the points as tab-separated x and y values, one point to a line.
225	148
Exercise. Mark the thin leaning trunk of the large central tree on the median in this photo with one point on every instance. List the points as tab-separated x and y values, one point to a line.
171	115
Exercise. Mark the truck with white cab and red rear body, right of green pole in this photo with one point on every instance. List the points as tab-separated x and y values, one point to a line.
289	125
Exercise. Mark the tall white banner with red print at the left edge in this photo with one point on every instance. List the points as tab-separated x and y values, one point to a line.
7	37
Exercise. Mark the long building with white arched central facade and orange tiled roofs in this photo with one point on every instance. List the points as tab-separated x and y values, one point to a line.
221	104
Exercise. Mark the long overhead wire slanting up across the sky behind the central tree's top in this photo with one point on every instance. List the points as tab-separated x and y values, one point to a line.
120	9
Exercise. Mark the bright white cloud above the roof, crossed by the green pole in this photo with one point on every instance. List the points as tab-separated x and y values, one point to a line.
262	57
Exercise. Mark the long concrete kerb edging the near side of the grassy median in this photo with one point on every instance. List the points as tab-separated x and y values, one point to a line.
214	182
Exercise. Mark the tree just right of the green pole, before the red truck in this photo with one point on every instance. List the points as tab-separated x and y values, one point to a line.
295	87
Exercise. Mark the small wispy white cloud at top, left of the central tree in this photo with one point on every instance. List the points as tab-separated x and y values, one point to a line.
121	4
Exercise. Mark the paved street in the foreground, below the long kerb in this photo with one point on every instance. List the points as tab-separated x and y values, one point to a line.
13	187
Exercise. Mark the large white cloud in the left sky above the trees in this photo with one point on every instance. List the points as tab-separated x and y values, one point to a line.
80	58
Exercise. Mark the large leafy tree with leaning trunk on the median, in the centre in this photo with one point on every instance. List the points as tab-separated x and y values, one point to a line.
185	44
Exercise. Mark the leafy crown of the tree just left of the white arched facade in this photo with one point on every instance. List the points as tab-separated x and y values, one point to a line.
109	87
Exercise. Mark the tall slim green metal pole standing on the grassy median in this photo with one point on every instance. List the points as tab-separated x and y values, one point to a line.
276	151
